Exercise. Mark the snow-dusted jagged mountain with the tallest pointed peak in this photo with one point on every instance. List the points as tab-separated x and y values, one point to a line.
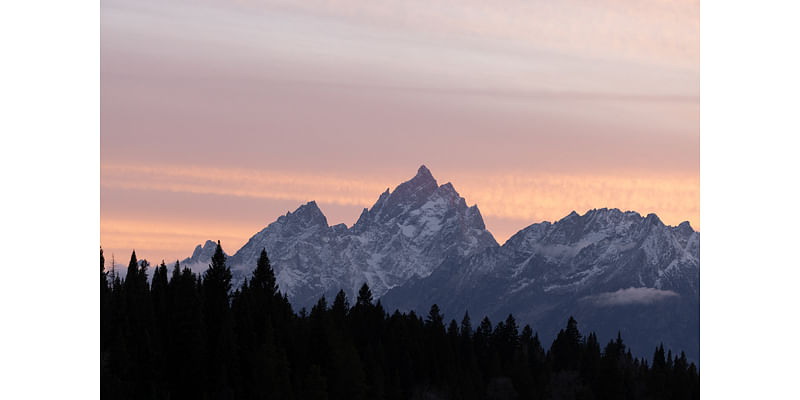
406	233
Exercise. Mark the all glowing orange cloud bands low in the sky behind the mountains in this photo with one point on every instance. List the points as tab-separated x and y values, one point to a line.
508	201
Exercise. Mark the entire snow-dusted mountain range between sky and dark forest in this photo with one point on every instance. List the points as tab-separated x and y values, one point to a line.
421	244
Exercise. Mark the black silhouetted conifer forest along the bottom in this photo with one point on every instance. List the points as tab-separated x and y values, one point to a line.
182	335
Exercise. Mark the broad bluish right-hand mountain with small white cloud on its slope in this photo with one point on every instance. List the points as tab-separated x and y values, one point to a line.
613	271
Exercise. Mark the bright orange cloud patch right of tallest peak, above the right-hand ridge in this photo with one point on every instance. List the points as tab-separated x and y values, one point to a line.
533	197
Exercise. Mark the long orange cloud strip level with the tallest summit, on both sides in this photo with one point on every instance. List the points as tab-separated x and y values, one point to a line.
532	197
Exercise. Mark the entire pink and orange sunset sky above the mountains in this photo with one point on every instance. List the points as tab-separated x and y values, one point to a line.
218	116
